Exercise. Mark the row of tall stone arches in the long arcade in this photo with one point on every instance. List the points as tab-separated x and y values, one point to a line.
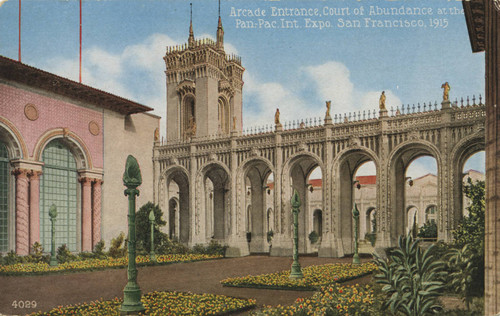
227	208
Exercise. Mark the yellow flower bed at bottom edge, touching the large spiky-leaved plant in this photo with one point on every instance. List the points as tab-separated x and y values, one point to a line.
331	300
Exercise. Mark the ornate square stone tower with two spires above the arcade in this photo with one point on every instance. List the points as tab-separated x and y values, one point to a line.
204	88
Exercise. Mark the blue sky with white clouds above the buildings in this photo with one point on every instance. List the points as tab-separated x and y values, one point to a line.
295	69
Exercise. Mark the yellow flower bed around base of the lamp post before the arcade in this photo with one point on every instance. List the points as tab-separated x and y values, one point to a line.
314	277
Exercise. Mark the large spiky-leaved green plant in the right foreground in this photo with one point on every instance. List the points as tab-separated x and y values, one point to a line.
412	278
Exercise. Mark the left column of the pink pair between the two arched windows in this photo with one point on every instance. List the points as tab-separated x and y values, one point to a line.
22	212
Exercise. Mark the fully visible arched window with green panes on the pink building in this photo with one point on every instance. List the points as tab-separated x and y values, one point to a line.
58	185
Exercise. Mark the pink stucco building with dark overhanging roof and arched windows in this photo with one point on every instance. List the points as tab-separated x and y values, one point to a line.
65	143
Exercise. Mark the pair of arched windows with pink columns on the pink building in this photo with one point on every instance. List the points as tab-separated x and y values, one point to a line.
30	185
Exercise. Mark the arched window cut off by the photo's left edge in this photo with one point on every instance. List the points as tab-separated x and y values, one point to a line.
4	198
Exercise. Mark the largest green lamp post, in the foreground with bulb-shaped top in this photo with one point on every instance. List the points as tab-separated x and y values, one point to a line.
131	293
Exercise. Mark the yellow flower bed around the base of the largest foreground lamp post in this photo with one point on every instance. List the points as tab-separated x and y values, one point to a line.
162	303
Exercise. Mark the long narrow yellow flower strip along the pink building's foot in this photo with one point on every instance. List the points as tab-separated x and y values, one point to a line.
98	264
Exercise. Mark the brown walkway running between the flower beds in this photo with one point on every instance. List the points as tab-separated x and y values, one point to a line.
198	277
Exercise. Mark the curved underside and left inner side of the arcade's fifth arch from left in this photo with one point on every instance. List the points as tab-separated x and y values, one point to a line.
344	168
